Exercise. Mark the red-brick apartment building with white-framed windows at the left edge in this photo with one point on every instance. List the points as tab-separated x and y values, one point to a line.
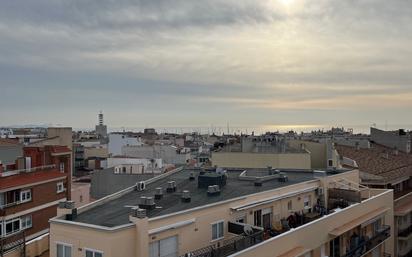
30	190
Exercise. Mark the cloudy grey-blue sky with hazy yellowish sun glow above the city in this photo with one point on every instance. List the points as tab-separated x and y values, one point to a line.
291	63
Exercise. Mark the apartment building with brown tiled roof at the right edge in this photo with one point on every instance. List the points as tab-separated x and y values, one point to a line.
385	167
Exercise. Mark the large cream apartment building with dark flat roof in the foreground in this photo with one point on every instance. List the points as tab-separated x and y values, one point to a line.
235	212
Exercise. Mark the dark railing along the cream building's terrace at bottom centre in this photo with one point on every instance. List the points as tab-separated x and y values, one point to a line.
227	247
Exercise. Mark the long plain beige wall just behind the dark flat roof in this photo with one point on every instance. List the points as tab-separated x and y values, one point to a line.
261	160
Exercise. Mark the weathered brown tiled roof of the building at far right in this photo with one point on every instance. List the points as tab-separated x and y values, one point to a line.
379	161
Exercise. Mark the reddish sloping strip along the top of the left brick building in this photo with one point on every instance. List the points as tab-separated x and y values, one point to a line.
29	178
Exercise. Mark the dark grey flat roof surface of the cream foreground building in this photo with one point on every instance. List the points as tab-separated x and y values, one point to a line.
116	212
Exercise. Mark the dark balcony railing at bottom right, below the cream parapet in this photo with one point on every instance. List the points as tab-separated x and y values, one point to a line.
368	244
